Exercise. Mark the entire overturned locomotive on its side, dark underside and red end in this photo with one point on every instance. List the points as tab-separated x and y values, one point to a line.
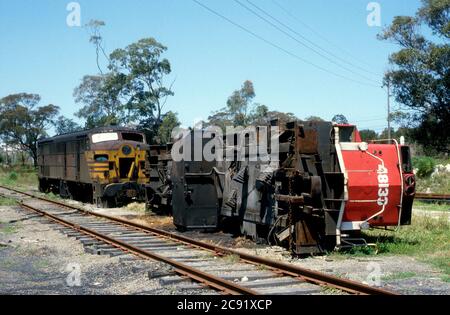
321	187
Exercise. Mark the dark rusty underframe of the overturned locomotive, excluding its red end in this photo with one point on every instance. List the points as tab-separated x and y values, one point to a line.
291	200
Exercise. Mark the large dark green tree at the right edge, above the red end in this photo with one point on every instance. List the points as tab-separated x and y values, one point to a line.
421	71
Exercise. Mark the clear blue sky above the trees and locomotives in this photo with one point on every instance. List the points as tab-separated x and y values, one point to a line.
210	57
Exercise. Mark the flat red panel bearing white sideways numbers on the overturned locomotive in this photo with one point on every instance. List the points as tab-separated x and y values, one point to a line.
374	184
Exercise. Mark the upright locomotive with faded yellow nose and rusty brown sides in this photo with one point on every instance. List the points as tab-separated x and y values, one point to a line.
105	165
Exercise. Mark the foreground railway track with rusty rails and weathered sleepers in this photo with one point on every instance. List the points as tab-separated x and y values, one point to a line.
201	262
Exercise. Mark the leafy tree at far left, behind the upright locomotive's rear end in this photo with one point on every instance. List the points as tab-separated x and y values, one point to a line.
22	123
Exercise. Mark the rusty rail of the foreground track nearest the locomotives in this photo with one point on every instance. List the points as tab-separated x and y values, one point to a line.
307	275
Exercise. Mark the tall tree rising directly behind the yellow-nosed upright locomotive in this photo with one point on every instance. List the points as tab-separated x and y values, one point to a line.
132	92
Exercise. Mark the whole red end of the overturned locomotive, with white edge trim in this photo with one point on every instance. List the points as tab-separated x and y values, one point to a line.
380	184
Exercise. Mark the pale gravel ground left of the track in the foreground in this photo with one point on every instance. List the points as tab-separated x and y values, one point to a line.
36	259
